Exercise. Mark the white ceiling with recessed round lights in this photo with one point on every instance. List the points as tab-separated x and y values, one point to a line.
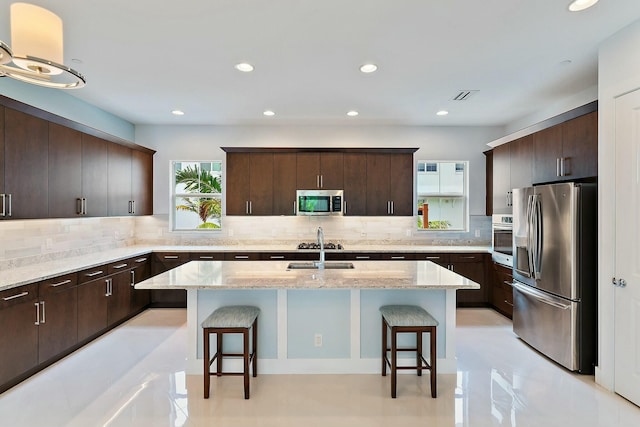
144	58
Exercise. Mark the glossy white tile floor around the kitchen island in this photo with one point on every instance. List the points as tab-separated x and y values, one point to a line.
134	376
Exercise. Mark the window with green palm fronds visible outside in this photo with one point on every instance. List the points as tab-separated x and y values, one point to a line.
197	195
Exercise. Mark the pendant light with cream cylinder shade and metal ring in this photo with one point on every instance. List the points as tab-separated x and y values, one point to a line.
36	55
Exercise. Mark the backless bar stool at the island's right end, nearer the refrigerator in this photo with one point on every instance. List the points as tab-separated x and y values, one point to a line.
408	319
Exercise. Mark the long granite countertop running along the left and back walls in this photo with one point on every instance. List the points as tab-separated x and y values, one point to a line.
13	277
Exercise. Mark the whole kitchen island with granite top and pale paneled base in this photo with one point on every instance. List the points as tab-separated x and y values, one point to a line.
316	320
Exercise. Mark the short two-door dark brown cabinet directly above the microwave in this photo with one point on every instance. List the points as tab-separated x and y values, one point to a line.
322	170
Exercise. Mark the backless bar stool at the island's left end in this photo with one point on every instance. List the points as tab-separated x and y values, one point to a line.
236	319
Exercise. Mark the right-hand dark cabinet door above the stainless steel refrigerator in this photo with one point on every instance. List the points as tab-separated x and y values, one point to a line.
580	147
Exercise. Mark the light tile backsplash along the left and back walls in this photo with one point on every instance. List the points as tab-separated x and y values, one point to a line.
26	242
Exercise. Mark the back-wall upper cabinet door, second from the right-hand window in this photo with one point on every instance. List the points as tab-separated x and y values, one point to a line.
378	169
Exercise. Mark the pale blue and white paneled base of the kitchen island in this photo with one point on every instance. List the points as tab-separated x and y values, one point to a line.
348	321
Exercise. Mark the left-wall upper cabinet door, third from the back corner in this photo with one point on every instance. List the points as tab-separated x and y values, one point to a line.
94	175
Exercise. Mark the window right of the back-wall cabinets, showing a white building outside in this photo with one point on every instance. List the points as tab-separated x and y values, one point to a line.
442	195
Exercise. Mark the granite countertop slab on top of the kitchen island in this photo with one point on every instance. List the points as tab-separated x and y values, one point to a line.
275	275
